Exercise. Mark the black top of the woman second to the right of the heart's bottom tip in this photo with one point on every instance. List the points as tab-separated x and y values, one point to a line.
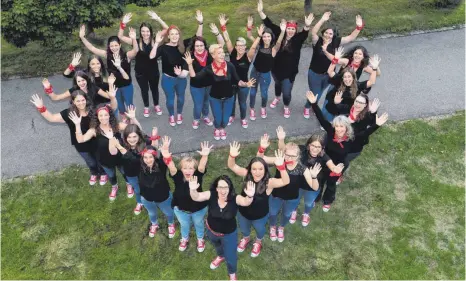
291	190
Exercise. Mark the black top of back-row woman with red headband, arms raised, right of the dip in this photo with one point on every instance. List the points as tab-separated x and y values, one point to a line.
287	58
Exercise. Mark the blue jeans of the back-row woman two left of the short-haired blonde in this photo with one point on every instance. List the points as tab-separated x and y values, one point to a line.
172	86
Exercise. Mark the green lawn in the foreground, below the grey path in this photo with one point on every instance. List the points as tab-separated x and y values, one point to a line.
398	215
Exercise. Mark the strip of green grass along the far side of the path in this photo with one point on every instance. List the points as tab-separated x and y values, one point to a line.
387	16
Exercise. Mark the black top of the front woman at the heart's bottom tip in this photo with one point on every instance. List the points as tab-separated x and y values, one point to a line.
222	220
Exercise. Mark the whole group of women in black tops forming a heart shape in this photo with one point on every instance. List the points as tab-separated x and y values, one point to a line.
106	133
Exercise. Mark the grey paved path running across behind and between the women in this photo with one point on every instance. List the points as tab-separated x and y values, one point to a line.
422	75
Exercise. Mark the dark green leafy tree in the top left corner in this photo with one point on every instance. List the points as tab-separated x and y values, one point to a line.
53	22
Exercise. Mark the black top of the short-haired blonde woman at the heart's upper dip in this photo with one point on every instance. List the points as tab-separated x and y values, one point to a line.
221	85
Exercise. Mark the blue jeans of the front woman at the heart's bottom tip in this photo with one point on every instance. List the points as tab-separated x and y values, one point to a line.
225	246
